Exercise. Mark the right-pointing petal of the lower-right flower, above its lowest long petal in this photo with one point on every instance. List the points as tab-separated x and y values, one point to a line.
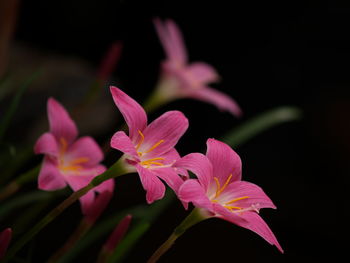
255	194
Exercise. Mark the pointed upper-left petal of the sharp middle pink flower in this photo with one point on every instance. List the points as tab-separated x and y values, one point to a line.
133	113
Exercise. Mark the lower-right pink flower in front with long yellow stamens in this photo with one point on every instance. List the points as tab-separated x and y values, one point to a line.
219	191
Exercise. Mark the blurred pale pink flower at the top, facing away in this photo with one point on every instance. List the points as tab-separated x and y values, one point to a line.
181	79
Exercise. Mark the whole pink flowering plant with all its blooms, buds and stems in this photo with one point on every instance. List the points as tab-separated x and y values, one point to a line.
72	169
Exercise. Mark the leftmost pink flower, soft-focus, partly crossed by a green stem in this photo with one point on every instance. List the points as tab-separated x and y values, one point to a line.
68	159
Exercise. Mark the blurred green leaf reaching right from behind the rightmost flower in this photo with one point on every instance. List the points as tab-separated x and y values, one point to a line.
260	123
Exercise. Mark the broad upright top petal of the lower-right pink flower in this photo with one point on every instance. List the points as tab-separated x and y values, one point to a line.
225	161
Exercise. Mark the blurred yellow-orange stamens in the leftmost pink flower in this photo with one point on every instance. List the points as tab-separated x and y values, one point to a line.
65	165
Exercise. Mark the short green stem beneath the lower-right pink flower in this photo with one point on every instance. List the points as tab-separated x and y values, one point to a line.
193	218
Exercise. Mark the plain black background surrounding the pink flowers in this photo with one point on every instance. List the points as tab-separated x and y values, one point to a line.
269	54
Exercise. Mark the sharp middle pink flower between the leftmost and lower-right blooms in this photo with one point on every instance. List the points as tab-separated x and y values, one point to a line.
149	149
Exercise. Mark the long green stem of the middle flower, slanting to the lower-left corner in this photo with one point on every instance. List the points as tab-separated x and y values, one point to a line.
115	170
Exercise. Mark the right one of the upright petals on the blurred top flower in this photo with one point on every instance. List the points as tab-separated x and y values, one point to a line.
176	39
